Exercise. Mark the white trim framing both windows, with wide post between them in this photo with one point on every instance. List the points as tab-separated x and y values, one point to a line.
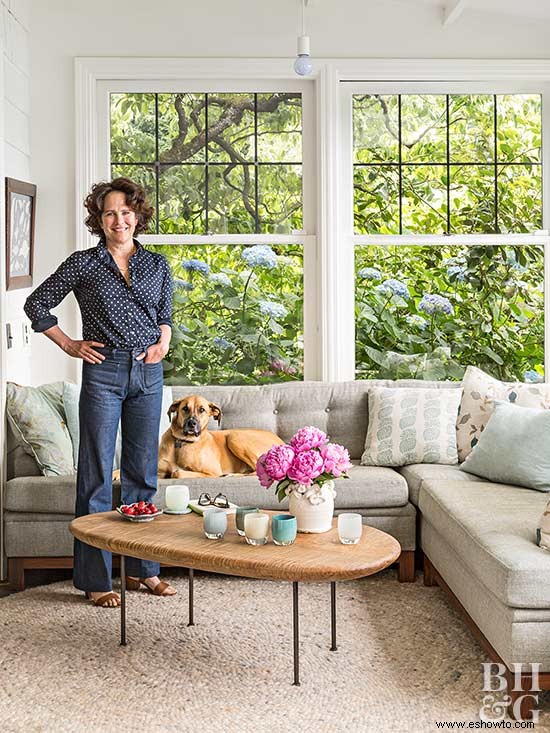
328	240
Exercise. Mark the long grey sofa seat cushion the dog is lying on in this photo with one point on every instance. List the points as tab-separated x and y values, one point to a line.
367	487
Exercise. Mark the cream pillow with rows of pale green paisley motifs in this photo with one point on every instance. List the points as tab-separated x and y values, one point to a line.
411	425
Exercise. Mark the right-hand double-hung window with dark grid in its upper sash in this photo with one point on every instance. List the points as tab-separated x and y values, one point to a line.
444	196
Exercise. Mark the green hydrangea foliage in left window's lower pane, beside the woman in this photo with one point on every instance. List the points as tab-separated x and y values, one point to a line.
223	331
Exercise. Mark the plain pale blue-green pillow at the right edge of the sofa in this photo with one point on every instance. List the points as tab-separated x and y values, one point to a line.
514	448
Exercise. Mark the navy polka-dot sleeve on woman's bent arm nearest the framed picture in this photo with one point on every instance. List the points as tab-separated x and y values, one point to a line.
50	293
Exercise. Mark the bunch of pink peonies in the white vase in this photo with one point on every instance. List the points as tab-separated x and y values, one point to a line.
310	460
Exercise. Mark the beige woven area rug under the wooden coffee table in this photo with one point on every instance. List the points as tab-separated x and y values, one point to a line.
405	660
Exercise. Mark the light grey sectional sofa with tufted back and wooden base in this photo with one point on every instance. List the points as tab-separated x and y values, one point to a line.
478	538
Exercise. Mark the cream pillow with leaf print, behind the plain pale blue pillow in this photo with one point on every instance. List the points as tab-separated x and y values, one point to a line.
479	392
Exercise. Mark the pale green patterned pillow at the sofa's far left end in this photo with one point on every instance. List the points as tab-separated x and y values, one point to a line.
37	420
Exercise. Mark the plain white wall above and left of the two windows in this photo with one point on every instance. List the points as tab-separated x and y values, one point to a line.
61	30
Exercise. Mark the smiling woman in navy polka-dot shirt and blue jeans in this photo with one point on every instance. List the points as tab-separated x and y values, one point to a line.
125	298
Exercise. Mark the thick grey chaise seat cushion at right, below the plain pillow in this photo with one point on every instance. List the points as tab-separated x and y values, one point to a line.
492	527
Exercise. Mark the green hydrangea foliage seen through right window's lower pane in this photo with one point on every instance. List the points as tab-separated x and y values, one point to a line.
496	323
